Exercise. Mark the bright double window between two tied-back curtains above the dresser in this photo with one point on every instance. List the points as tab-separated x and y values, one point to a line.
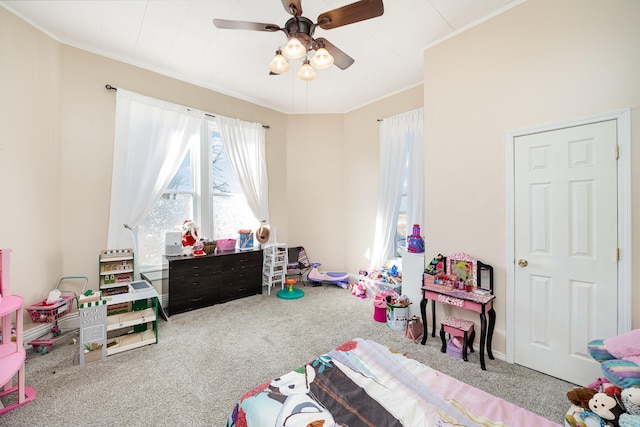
220	209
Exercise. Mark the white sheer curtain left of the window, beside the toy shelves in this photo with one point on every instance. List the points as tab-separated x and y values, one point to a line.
151	139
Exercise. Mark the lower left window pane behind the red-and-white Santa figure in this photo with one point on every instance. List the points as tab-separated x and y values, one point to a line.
167	215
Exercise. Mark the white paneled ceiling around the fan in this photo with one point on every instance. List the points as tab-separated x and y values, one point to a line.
178	39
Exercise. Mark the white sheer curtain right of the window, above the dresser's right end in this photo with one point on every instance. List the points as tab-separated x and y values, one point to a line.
245	144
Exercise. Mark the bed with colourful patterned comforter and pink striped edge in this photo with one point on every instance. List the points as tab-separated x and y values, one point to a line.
363	383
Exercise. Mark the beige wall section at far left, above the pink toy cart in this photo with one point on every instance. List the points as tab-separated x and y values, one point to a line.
30	152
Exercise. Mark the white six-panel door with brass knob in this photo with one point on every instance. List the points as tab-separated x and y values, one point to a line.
565	247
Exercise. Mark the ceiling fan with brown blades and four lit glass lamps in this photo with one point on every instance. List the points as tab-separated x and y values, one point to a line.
299	31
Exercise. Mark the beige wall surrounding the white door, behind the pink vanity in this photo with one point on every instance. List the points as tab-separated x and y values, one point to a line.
543	61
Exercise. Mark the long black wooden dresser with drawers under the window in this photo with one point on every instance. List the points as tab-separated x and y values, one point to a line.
197	282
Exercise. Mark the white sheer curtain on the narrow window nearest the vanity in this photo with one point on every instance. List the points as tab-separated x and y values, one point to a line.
400	136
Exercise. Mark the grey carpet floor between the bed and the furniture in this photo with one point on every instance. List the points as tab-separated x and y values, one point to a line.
205	360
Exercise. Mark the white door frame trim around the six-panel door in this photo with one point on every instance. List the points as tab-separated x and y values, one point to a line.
623	128
